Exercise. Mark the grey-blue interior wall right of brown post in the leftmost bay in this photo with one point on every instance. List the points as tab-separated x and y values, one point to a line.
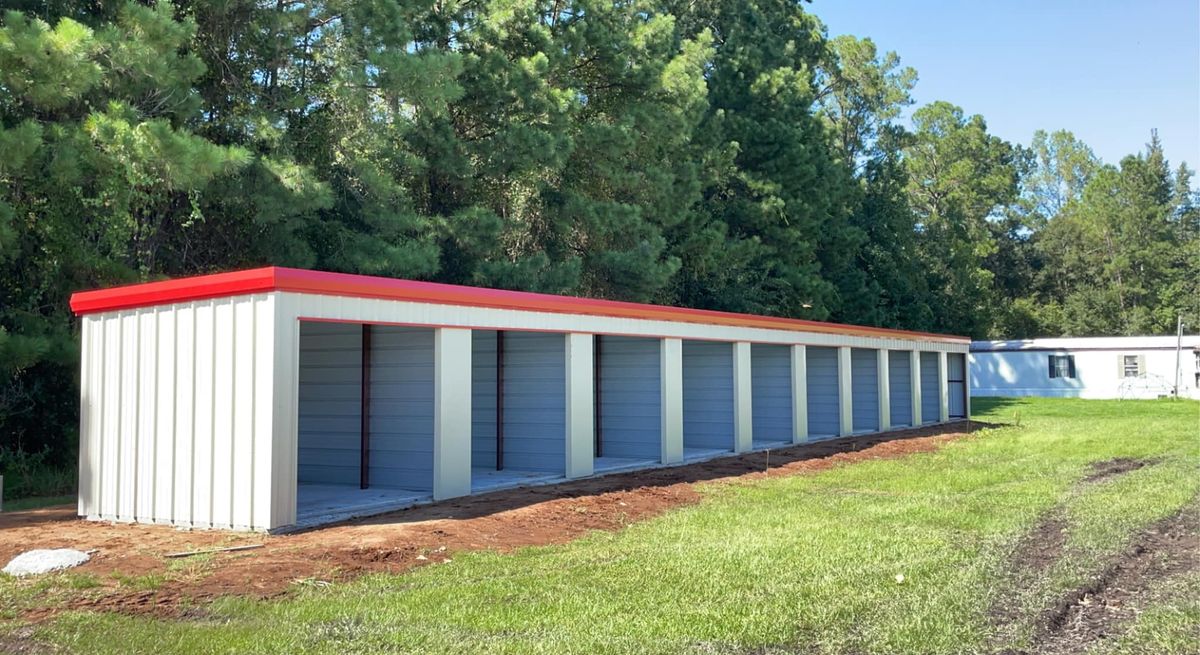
401	407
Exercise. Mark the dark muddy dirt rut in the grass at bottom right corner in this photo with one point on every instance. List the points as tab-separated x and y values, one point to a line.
1106	606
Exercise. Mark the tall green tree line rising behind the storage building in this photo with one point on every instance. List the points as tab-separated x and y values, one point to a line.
717	154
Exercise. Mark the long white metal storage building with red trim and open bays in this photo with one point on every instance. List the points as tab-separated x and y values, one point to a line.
275	399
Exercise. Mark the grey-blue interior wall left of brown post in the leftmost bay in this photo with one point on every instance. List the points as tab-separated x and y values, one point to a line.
331	404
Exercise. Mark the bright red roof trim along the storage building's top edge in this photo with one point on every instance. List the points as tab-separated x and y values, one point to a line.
361	286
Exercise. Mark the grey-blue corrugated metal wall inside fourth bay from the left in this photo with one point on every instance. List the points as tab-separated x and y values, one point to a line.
709	395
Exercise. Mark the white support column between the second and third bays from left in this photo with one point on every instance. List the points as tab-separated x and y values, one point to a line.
580	405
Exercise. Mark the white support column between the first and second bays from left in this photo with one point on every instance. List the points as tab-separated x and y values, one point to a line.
452	413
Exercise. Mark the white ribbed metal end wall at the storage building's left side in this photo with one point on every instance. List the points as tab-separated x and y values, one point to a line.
170	431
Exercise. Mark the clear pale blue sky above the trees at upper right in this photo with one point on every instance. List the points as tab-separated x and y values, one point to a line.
1108	71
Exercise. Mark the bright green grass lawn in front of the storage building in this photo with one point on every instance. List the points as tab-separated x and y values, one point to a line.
901	556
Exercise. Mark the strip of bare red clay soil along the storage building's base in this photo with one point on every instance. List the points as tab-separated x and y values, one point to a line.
401	540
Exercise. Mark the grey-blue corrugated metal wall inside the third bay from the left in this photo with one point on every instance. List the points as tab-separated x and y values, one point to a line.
631	417
